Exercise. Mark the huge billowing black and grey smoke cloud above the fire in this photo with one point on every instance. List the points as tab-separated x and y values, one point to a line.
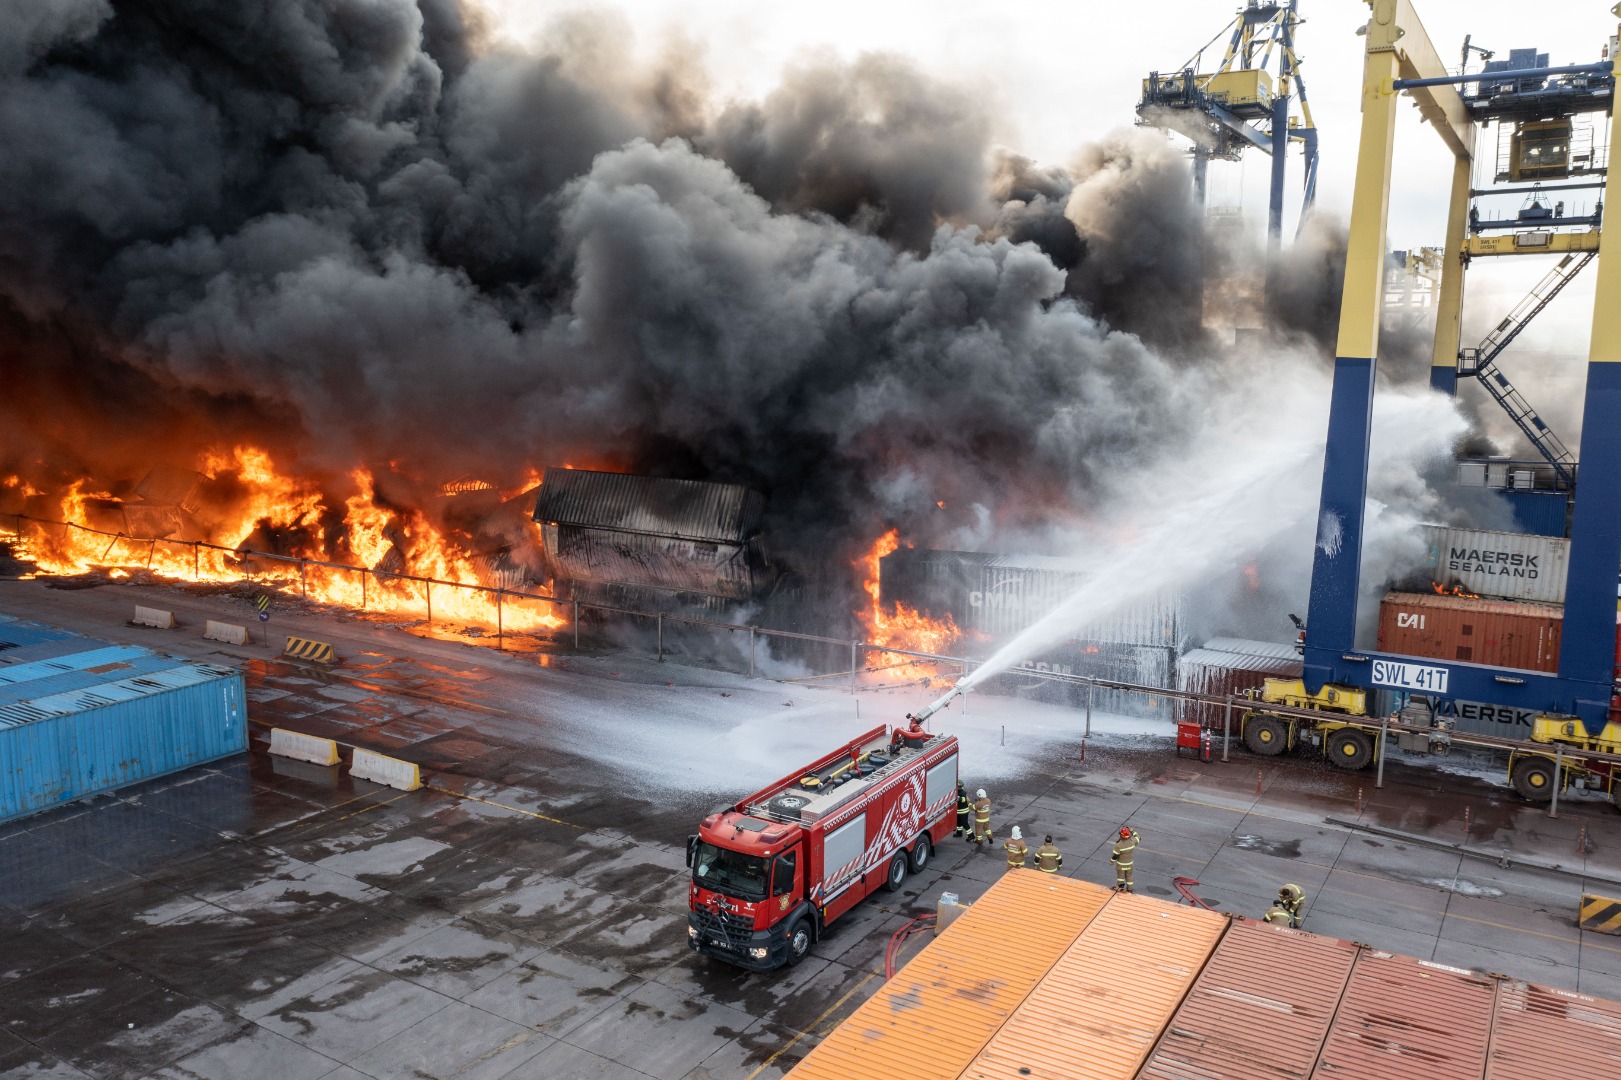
361	234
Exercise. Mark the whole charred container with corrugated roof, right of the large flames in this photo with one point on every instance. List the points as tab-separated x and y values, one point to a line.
678	536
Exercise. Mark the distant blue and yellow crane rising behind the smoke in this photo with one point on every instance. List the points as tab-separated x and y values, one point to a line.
1242	103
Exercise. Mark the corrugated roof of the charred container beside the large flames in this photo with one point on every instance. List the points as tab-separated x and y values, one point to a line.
688	510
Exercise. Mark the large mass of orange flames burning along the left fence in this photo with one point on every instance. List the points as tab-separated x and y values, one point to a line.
377	547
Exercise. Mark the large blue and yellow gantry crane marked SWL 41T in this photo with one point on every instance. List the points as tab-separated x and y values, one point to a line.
1534	108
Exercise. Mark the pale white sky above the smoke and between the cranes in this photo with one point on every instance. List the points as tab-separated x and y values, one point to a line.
1064	74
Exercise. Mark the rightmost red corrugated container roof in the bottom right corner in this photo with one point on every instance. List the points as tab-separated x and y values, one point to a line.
1538	1031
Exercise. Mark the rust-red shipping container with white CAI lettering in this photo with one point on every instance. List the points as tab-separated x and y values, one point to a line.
1495	633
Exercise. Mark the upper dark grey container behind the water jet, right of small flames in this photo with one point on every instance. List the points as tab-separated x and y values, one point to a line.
999	596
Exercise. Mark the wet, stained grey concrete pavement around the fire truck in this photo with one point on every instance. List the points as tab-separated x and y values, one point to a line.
524	917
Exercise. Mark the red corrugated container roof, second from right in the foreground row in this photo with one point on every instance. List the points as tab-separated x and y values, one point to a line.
1405	1018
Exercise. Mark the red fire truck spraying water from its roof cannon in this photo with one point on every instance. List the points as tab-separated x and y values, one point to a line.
772	872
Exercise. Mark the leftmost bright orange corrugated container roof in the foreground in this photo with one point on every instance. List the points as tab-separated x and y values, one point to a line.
941	1009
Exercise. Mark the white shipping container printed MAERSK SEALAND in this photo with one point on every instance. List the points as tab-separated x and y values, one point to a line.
1505	565
